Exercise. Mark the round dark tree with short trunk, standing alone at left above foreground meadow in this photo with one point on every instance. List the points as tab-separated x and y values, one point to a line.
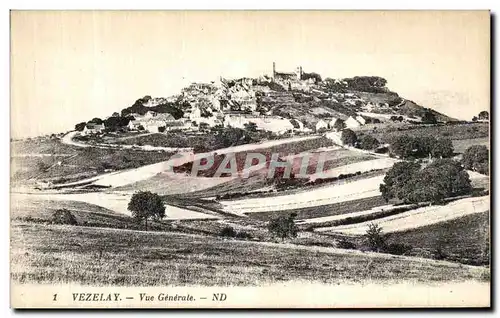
146	205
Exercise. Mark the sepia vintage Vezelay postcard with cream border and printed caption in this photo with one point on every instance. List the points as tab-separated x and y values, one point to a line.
250	159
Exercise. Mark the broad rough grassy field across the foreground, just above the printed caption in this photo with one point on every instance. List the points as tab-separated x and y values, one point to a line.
91	256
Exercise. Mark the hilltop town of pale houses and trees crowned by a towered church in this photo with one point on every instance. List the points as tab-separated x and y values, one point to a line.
295	103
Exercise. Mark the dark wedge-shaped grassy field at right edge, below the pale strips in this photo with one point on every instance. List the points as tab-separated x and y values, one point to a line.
464	240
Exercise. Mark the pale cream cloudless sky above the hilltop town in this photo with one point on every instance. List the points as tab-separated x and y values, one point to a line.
70	66
